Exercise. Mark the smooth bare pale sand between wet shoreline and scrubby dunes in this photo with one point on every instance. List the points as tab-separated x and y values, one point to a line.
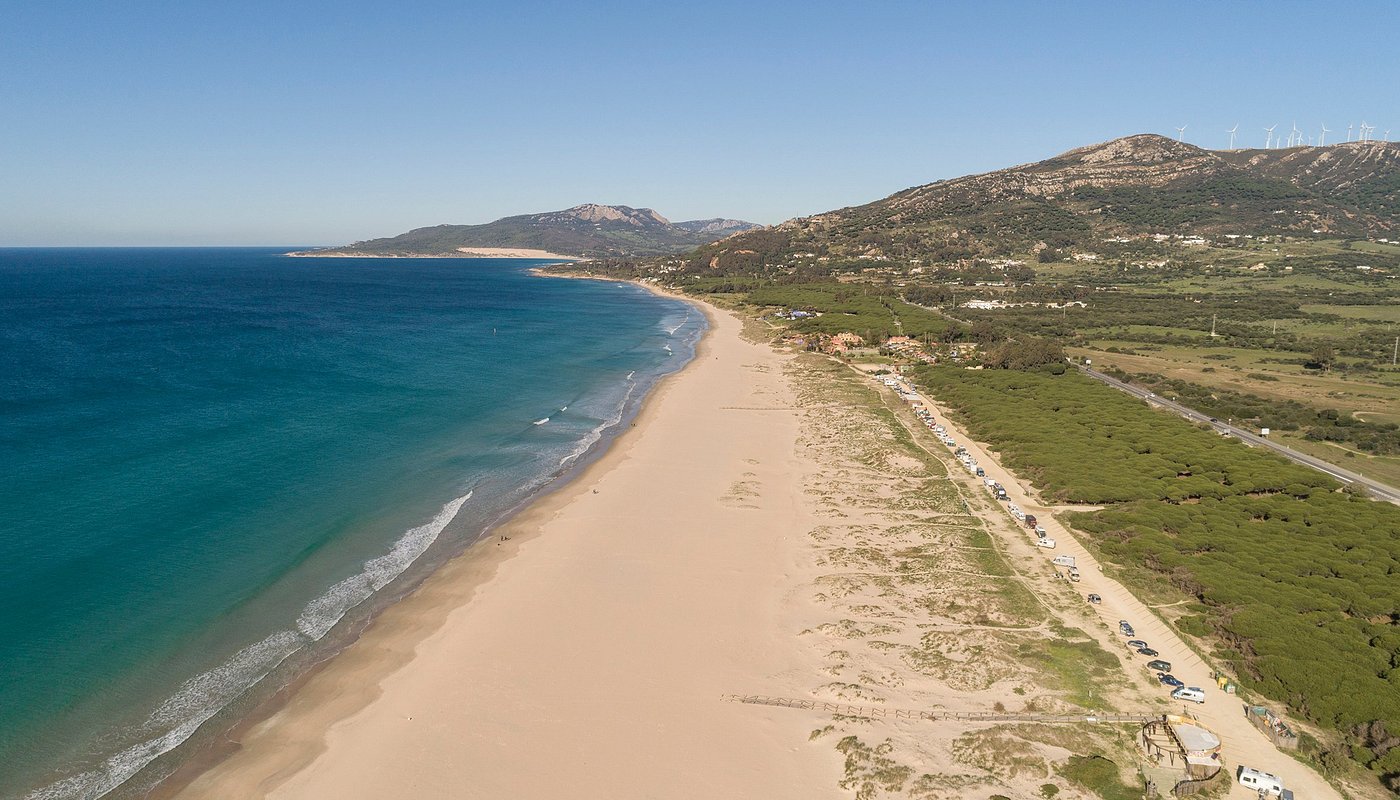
586	656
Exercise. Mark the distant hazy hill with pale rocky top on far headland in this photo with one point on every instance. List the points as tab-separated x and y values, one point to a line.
586	232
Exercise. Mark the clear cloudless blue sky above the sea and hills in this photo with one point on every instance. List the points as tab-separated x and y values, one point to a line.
316	124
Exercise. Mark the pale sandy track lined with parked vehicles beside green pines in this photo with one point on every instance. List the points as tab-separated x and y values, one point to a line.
1244	745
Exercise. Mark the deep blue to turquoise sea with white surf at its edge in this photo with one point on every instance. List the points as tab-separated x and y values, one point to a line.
216	463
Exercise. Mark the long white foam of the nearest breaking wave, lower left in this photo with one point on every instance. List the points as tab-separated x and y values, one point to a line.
204	696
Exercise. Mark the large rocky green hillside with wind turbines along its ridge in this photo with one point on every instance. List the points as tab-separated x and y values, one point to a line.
1128	188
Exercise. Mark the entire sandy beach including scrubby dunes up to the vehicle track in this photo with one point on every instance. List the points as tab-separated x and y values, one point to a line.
773	525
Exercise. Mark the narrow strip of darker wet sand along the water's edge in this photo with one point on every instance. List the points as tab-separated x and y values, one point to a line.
387	642
